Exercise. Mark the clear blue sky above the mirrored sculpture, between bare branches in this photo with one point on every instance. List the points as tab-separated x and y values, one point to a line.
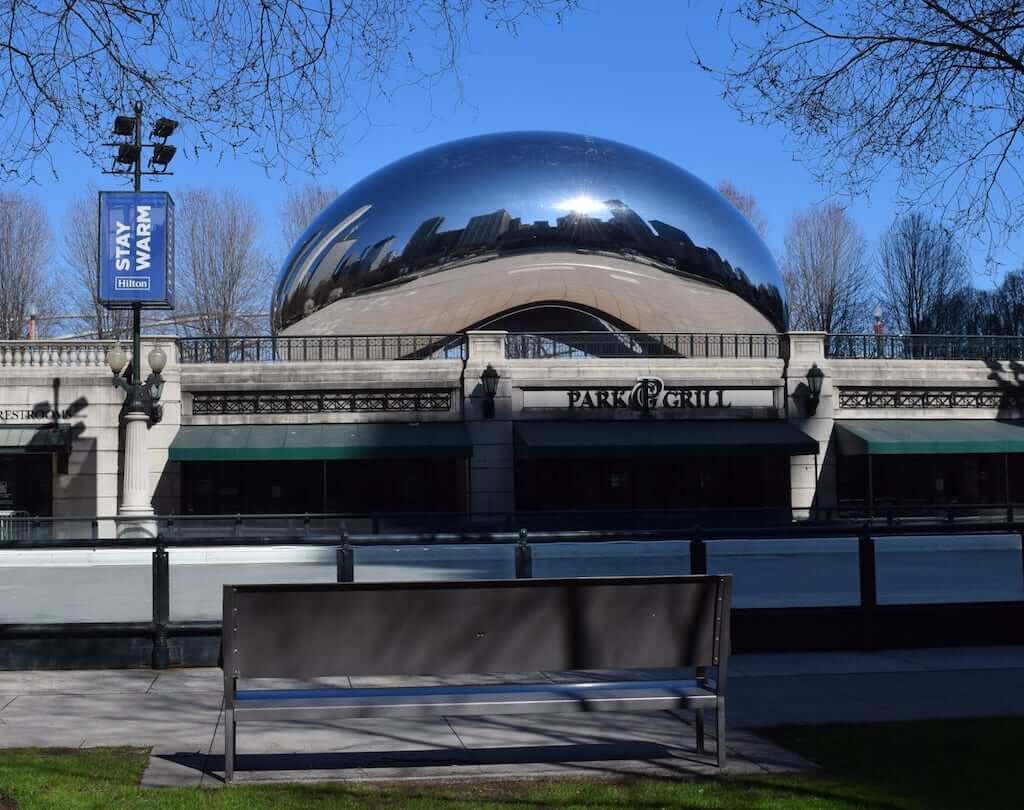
615	70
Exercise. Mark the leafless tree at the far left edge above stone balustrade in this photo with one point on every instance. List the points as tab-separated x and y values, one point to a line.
26	279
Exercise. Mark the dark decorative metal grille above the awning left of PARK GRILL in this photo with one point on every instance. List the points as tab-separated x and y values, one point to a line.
320	402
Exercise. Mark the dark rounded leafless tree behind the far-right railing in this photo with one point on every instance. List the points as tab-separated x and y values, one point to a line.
923	273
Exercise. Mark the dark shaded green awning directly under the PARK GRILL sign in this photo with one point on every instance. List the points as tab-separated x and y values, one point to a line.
631	440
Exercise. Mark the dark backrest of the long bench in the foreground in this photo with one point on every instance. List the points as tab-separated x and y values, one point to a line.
446	628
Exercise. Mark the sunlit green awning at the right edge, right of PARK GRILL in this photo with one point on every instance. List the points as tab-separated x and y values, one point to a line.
931	437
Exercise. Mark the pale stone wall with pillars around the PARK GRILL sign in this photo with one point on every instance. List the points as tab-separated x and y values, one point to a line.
41	373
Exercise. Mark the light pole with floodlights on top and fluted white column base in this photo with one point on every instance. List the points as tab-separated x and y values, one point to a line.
142	407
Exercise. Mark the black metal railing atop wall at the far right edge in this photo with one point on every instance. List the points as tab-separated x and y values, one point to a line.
925	348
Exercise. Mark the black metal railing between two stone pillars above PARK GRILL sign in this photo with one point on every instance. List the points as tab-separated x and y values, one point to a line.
582	346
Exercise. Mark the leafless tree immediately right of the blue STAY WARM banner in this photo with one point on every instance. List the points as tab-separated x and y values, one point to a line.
224	277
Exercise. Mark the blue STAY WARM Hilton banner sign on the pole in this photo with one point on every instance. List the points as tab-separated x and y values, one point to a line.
137	249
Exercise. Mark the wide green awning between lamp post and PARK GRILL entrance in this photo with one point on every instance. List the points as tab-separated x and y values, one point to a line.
282	443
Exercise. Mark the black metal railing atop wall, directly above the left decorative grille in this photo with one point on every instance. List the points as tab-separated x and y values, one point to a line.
322	350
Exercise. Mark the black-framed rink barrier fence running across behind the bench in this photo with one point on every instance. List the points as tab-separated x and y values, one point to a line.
865	622
